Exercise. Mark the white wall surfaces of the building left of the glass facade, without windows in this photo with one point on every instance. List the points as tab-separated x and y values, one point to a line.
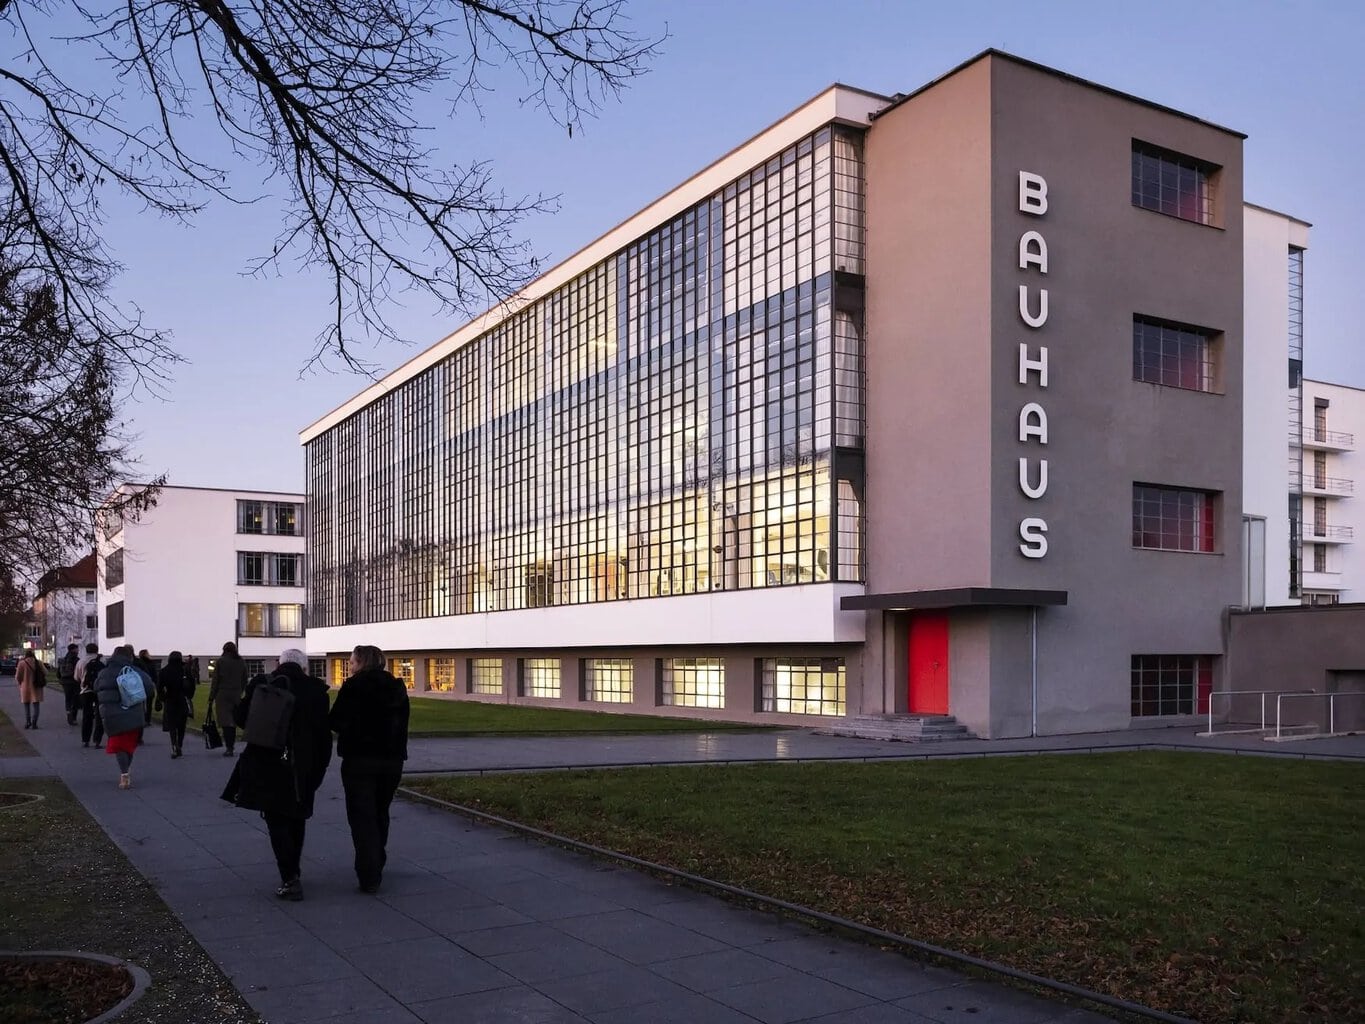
181	575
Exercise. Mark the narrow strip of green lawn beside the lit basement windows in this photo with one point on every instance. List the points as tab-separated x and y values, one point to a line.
442	717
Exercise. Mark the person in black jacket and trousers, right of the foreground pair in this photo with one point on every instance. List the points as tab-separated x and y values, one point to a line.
371	719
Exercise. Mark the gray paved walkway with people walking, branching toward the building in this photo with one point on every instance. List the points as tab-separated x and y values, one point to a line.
478	925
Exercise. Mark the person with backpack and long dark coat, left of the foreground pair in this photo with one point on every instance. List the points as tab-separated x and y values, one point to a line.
289	748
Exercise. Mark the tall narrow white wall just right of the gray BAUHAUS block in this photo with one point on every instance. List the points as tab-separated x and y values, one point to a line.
1266	432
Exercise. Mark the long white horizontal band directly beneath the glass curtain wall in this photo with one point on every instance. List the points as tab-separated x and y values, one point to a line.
775	615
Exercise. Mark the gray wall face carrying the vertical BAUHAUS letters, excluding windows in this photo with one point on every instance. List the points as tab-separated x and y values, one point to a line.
1108	261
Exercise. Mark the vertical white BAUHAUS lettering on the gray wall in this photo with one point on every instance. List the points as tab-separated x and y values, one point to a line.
1033	364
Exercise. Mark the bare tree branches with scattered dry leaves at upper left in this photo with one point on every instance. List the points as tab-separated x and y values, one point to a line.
170	102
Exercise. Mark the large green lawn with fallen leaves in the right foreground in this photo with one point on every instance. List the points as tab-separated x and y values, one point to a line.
1225	890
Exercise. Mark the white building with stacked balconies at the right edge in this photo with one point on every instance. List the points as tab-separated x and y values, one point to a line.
1334	524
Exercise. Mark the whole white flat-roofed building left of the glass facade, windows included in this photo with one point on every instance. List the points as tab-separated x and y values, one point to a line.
203	567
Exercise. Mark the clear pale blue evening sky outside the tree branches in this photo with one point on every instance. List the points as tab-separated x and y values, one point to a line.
1289	76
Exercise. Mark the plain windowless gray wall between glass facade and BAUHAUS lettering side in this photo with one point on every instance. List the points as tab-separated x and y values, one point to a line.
929	334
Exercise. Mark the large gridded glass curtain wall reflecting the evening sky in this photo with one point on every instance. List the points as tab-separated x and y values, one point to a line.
686	417
